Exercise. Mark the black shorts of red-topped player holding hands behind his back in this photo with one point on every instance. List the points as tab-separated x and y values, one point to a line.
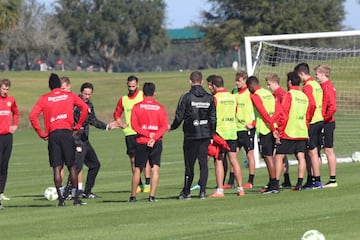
144	153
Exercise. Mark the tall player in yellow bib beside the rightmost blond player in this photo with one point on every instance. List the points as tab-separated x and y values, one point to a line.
313	91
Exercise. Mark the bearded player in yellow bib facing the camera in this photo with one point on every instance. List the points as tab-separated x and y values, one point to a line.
122	114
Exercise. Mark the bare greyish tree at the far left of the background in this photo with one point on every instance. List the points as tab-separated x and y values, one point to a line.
36	32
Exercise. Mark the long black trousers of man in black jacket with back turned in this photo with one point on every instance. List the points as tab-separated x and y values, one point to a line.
195	149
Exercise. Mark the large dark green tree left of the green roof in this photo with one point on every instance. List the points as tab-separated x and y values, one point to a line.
106	31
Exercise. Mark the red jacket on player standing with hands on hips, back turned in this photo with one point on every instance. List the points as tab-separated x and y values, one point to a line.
57	108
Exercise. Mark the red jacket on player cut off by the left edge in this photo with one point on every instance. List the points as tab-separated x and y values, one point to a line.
9	114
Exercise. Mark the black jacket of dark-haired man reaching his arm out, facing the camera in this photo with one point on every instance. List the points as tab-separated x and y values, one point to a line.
90	120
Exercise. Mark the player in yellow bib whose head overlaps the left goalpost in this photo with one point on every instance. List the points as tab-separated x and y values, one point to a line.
264	104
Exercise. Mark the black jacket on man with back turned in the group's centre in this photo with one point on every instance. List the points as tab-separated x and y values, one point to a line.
197	109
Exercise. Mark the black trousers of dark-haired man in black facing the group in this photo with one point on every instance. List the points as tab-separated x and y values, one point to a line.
85	154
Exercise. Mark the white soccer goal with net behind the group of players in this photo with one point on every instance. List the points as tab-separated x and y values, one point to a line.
340	50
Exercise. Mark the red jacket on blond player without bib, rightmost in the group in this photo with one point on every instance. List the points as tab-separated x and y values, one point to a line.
329	101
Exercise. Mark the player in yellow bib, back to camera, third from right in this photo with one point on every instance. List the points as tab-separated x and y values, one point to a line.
292	128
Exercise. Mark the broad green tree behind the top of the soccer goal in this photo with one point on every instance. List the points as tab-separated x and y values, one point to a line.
229	21
